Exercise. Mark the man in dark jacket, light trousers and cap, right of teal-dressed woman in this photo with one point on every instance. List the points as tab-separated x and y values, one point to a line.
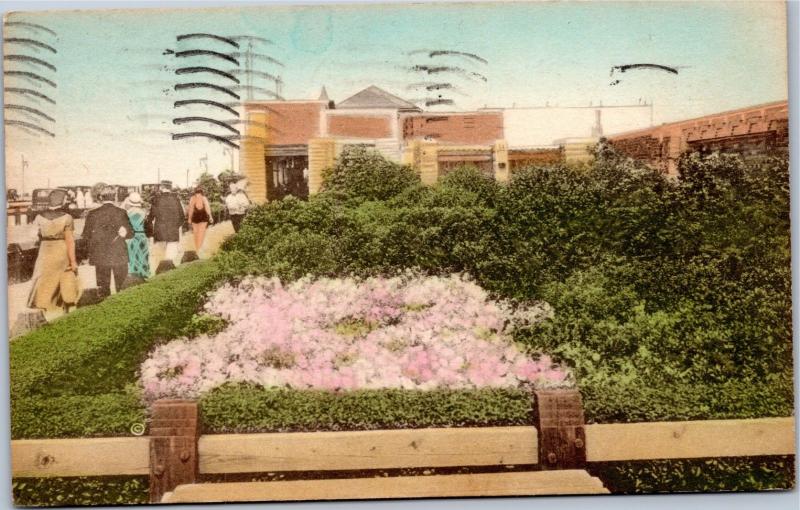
165	221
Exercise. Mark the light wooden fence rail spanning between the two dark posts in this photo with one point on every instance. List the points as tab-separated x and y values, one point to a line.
373	449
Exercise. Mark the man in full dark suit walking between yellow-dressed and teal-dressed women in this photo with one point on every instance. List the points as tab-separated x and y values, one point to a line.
105	231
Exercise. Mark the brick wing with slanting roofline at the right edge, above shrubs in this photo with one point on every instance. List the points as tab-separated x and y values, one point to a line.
760	129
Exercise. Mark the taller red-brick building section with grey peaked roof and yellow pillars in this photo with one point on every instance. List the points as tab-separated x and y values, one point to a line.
289	143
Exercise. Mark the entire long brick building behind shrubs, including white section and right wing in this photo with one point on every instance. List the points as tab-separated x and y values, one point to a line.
289	143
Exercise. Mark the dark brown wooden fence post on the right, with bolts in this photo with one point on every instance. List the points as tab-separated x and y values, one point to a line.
560	426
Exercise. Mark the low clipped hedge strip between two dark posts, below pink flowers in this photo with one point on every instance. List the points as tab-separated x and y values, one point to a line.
246	408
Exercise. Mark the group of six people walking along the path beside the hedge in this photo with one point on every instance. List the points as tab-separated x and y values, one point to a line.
119	240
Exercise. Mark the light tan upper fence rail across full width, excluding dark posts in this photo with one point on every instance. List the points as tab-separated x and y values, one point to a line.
249	453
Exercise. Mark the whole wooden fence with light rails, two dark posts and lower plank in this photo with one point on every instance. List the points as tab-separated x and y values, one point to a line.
553	453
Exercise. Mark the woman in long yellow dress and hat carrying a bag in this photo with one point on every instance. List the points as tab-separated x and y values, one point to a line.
56	255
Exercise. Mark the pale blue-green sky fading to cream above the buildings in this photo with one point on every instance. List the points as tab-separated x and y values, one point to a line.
113	117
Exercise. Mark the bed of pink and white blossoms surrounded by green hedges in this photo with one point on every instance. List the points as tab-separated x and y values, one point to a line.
409	332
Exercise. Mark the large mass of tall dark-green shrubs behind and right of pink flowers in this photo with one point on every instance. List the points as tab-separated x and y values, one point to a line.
678	285
